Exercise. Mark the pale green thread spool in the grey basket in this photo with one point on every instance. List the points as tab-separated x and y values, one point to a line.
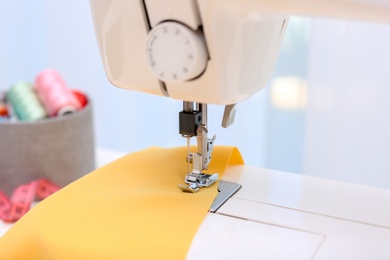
25	102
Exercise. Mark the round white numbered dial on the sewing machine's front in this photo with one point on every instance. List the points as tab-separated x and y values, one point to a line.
176	52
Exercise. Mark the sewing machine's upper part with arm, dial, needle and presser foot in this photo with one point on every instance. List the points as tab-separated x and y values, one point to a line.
204	52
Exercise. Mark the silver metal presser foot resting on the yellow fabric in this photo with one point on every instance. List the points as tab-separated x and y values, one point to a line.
197	181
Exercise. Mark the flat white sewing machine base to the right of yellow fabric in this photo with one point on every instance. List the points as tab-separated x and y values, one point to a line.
279	215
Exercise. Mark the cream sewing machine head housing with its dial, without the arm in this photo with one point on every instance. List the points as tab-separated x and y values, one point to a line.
199	51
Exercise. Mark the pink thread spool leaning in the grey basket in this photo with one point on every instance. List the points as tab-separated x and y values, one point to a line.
54	93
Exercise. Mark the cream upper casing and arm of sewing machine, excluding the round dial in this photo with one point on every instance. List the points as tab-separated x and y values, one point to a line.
243	39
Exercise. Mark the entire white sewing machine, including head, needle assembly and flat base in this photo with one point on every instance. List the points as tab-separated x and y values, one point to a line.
222	52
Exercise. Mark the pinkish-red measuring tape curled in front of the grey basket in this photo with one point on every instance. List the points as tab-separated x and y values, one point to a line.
13	209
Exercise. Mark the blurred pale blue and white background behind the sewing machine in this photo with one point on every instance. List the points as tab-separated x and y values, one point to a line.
325	112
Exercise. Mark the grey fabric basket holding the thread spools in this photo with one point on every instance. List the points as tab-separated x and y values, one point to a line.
60	149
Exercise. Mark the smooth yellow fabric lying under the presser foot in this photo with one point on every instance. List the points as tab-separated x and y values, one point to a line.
129	209
